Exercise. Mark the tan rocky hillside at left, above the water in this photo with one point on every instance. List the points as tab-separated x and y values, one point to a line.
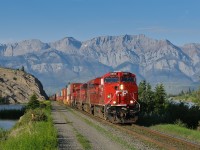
17	86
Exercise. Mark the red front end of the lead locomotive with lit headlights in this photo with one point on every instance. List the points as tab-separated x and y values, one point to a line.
120	96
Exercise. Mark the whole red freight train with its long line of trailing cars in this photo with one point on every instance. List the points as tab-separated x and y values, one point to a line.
114	97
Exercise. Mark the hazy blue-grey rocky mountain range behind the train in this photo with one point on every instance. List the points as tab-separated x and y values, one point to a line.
69	60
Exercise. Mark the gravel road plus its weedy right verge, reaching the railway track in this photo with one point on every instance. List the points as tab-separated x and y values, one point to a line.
71	123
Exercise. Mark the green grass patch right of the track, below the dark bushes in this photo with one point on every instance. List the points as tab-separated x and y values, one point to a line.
179	131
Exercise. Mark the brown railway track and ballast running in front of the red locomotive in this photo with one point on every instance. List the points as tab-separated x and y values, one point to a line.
155	138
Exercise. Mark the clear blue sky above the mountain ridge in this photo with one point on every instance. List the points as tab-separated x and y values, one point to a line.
51	20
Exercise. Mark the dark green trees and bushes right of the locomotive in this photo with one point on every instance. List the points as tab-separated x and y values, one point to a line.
157	109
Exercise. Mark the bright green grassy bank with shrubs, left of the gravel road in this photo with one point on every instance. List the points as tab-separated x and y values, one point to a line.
34	130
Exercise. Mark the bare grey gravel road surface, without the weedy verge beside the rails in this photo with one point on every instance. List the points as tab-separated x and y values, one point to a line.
69	125
